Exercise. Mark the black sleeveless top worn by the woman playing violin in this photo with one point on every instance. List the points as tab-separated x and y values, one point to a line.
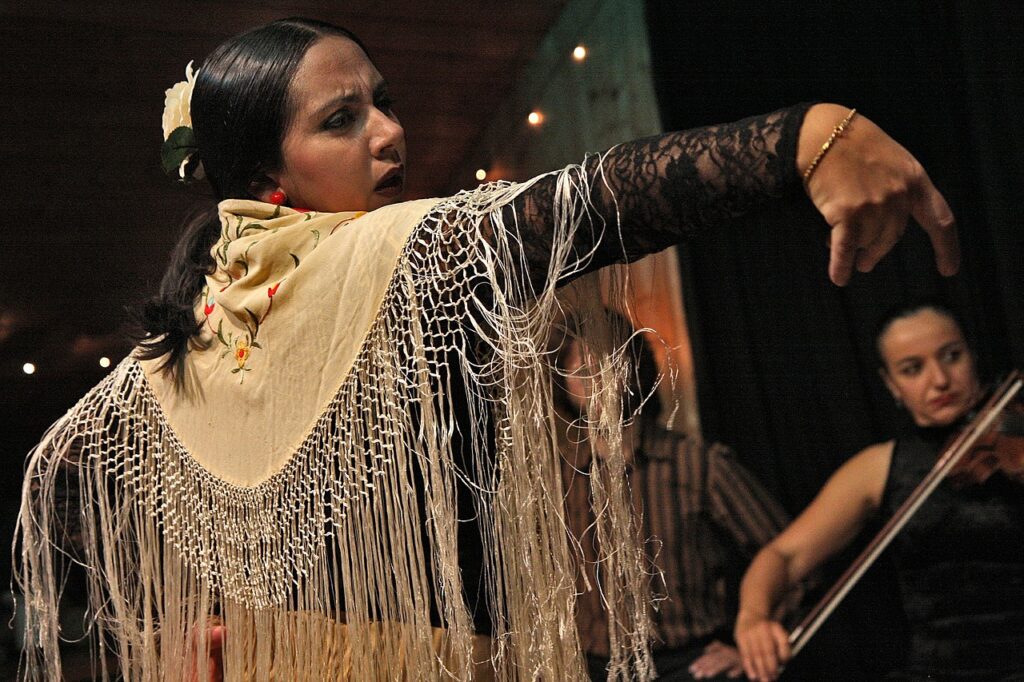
961	566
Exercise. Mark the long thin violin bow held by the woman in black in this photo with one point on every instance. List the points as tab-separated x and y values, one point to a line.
953	454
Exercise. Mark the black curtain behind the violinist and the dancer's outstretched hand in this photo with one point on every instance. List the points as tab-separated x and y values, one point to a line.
785	360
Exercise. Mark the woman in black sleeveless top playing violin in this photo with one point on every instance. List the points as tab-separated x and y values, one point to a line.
960	559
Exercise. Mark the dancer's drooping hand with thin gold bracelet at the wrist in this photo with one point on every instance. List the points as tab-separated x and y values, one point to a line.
867	188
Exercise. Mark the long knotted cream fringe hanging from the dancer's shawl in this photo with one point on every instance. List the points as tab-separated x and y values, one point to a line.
327	571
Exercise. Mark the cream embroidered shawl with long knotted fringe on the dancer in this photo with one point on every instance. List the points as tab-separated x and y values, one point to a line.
277	488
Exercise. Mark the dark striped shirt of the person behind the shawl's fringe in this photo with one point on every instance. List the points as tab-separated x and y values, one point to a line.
705	517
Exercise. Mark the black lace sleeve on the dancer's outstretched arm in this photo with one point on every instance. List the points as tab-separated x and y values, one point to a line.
667	188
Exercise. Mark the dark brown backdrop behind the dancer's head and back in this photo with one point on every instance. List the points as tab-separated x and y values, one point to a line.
89	218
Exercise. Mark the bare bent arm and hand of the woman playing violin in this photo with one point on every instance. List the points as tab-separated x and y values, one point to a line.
829	524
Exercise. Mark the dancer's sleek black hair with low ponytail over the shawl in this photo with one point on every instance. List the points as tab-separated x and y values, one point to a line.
240	114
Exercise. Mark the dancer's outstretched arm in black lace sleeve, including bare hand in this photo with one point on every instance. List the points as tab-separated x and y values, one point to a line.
667	188
